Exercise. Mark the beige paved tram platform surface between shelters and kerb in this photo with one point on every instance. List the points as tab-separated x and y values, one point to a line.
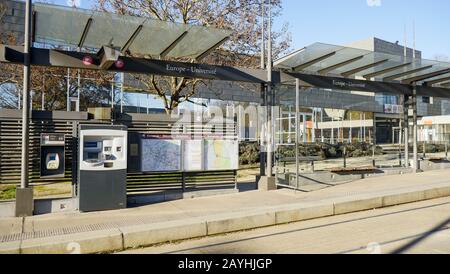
44	227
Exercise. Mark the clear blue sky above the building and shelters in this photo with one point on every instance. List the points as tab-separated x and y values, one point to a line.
344	21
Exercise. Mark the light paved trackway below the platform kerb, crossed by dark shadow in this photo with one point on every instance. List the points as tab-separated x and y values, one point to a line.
422	227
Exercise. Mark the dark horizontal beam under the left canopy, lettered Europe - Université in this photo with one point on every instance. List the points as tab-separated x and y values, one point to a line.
104	60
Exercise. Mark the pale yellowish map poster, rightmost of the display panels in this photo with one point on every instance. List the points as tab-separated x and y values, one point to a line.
221	155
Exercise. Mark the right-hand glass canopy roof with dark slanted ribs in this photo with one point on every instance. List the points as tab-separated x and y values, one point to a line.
332	60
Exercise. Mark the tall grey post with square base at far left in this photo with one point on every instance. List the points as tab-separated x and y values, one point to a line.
24	194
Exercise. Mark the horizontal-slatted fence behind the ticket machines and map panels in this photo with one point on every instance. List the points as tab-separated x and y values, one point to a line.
67	123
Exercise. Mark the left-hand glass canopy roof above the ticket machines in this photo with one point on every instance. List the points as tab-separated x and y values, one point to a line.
93	29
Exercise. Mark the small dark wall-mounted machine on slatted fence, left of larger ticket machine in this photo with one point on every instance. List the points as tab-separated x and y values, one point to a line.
52	155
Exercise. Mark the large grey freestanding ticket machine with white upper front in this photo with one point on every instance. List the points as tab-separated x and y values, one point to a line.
102	167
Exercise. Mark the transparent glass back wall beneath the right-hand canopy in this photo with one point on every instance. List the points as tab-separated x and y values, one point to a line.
336	137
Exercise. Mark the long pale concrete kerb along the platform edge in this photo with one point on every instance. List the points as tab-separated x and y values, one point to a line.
146	235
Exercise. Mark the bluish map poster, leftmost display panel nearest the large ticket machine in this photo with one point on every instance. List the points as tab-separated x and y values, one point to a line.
160	155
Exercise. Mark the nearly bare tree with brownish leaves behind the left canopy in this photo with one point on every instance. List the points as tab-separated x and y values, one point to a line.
243	49
